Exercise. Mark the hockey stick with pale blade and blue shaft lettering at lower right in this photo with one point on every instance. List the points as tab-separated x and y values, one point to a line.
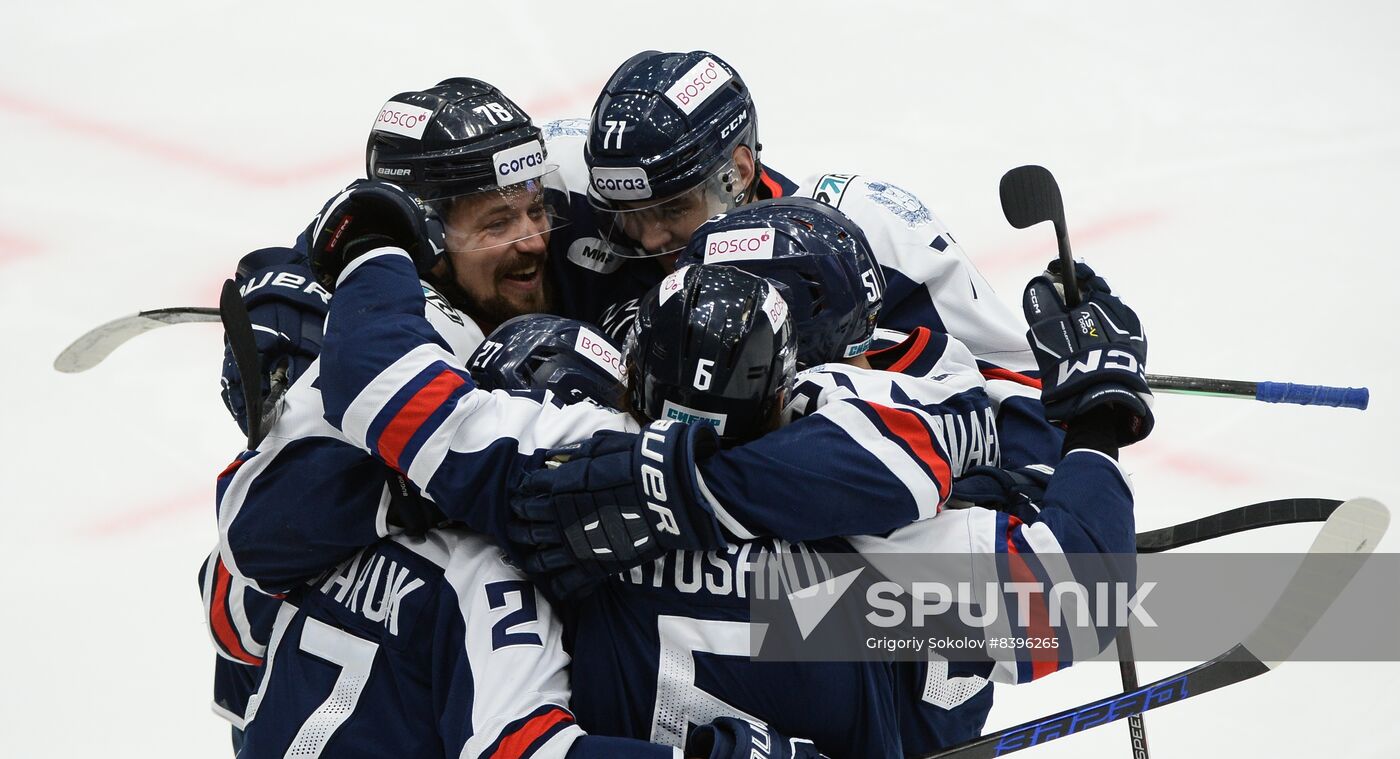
1356	527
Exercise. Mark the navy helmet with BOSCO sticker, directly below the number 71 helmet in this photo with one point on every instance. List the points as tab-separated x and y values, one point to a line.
821	260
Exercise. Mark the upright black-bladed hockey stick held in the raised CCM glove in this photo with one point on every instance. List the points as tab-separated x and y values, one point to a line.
1030	195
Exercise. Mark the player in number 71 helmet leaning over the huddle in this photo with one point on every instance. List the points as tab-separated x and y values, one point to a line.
674	139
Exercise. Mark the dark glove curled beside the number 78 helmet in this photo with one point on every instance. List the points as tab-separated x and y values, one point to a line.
367	216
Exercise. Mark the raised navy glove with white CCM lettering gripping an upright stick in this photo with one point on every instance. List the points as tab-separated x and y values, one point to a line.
1090	356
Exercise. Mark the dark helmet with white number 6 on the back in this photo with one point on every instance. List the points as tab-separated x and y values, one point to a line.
712	344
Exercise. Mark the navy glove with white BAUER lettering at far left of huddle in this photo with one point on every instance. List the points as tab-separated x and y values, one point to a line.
288	310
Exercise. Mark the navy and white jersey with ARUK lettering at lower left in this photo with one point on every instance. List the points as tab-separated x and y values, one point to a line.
421	648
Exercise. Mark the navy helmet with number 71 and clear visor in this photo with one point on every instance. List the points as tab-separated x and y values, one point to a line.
664	128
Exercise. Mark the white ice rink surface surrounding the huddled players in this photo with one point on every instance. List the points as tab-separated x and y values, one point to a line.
1230	167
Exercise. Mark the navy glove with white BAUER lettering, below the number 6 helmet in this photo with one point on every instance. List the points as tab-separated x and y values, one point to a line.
614	502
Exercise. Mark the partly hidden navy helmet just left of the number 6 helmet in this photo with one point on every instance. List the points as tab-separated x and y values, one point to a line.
549	354
